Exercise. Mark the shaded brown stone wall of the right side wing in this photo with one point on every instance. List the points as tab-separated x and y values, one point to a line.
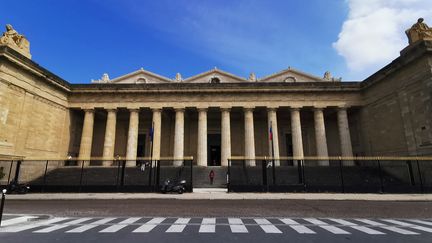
396	118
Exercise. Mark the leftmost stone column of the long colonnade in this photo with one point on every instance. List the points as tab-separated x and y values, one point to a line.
87	136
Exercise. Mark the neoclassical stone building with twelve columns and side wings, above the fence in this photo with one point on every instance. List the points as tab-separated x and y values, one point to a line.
215	115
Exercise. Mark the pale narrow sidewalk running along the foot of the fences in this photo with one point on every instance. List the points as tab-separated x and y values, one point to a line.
220	195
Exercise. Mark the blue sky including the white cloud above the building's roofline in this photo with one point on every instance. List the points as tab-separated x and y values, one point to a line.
81	40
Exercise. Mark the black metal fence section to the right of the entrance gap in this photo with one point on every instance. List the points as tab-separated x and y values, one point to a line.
331	175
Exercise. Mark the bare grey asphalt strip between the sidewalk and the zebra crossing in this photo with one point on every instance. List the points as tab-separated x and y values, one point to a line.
223	208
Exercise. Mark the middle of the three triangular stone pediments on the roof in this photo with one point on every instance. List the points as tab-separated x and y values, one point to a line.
215	74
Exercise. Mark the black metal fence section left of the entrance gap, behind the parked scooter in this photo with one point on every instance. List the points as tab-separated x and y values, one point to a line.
94	175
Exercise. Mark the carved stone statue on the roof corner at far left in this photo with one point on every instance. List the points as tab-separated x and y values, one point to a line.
16	41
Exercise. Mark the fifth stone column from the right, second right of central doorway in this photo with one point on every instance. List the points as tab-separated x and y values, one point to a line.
249	137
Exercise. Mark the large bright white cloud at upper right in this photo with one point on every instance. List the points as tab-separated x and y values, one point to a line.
374	33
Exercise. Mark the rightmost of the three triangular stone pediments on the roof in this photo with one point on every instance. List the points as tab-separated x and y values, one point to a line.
291	75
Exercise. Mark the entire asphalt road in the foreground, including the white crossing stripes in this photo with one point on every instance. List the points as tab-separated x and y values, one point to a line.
218	221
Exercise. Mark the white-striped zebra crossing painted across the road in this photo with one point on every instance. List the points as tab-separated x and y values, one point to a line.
234	225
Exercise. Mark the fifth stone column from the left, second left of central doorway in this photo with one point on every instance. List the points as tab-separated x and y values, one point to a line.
179	138
